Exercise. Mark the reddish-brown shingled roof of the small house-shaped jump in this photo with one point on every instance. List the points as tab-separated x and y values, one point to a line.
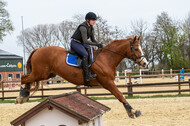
74	104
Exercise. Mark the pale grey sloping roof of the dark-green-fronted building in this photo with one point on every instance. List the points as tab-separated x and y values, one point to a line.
7	55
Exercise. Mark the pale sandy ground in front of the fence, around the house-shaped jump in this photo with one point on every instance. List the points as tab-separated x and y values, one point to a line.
156	112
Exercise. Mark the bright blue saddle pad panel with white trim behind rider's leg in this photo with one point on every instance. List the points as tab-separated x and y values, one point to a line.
71	60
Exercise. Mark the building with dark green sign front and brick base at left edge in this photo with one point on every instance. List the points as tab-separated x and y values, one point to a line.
11	66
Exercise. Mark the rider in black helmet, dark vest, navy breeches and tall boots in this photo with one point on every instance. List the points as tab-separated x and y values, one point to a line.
80	43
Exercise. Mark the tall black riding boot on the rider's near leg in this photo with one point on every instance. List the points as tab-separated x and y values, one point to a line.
86	73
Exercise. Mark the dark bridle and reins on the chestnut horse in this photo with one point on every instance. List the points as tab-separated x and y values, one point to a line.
132	53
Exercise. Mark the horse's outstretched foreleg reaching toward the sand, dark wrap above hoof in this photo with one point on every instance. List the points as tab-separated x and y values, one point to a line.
132	113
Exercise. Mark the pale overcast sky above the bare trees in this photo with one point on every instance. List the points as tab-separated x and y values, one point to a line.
117	12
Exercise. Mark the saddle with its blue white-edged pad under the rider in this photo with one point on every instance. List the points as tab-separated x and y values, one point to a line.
73	59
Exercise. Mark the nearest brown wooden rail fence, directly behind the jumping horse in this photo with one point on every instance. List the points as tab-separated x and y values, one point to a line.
129	86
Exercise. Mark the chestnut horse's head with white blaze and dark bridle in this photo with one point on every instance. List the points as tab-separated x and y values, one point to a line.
137	53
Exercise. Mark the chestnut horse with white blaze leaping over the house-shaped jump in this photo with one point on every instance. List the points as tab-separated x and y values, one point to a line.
46	62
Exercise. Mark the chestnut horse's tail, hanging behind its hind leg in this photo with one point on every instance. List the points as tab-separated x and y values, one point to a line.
35	85
